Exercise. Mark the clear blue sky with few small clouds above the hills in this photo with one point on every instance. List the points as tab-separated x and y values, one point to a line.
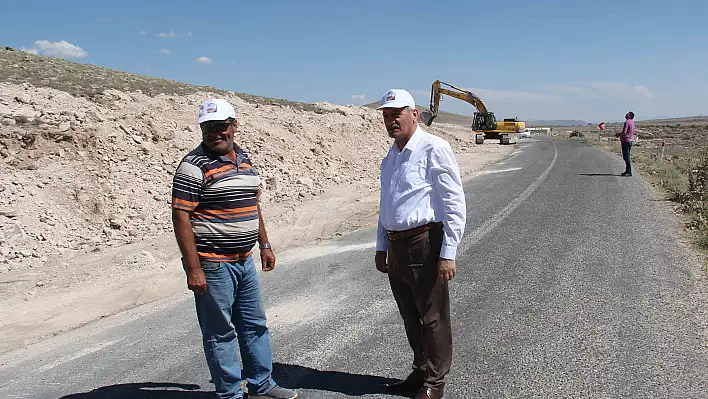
541	59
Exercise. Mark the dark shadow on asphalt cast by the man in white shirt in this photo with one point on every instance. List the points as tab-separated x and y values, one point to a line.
299	377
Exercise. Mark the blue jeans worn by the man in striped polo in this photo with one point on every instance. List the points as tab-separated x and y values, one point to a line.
232	317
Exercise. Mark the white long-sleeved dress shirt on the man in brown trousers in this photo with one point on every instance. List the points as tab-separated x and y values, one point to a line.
421	184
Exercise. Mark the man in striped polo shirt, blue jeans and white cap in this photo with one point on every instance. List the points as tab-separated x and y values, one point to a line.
217	221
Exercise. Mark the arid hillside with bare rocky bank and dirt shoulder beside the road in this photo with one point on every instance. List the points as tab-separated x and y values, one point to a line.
87	158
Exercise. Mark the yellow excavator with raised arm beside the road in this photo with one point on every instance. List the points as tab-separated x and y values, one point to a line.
484	122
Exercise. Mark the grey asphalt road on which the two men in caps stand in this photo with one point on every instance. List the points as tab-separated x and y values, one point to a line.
571	284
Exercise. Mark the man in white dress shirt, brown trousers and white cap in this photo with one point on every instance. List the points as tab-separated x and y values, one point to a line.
421	221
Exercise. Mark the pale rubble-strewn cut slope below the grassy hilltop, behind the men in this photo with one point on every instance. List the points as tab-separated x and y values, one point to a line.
79	174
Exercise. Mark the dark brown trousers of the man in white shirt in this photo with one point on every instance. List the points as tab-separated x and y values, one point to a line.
423	301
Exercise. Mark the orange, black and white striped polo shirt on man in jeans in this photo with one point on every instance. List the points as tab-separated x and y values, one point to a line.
222	198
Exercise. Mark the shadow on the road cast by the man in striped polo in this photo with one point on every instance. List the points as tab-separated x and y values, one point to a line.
145	390
